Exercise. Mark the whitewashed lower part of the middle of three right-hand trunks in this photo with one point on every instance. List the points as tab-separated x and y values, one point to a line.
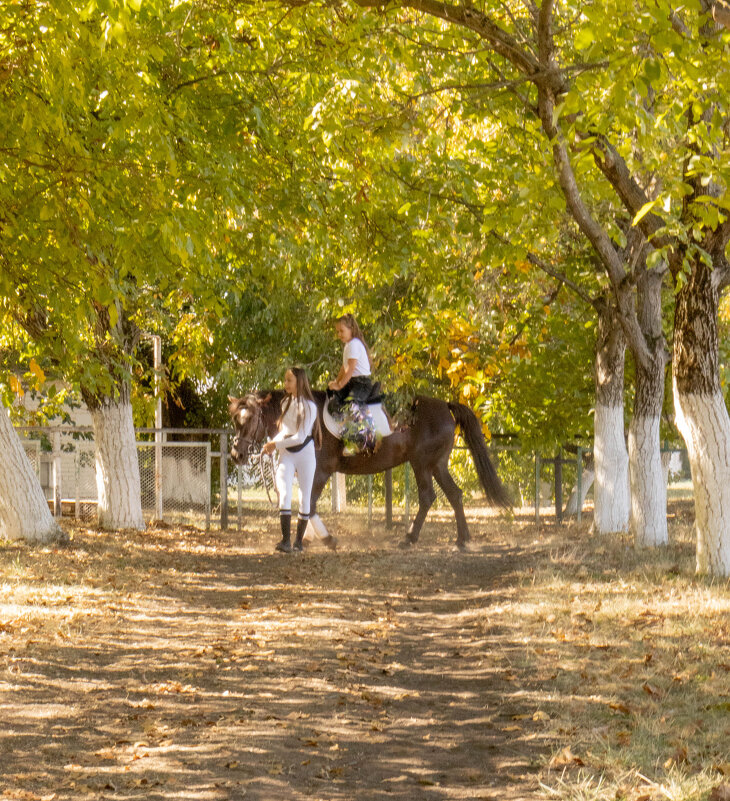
648	519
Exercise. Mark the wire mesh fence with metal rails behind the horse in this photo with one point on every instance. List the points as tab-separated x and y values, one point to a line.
186	476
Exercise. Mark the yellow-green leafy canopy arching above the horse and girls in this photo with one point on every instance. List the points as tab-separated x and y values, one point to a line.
235	177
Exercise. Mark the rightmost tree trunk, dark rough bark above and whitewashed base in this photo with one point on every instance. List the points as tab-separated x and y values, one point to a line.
702	417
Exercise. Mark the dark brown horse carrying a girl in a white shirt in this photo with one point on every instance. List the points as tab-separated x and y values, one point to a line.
427	444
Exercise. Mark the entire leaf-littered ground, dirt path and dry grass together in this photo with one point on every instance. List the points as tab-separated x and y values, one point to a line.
175	664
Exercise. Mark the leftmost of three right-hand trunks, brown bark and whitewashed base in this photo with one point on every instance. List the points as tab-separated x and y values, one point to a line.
611	487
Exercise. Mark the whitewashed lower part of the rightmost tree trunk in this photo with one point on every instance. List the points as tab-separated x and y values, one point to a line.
702	420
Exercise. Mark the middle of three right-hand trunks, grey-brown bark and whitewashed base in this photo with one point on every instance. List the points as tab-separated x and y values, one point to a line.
648	519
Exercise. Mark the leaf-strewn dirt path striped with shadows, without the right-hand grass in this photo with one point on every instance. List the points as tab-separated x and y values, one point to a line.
184	665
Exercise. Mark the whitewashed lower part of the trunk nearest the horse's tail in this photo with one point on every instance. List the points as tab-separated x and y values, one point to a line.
611	486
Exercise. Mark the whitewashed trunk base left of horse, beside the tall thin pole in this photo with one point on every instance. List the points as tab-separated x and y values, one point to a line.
117	466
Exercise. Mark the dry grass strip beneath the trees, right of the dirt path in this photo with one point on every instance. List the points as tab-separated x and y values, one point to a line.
630	653
